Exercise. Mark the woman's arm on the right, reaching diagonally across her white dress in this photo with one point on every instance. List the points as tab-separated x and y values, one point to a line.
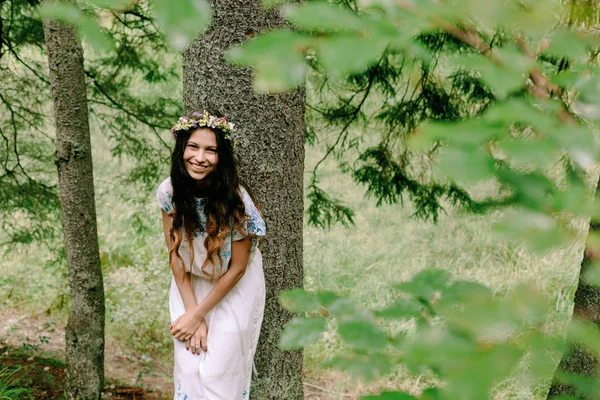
187	324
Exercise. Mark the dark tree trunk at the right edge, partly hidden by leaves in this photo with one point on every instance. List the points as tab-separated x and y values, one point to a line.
578	360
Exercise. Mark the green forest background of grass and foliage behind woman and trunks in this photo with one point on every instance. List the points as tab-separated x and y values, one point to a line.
134	97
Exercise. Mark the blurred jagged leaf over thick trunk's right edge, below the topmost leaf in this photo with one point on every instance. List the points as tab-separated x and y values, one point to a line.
277	57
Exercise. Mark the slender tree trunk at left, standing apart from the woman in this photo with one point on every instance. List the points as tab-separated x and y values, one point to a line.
85	329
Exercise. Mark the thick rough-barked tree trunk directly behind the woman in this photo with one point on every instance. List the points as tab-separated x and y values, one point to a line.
270	146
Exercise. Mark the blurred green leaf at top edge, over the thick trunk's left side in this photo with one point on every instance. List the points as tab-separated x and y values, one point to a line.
182	22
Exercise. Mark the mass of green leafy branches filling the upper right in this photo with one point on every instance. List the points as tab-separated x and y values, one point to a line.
414	68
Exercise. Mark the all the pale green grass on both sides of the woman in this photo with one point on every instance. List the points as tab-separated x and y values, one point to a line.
384	246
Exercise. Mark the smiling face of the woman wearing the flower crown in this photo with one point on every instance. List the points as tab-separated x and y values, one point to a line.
200	154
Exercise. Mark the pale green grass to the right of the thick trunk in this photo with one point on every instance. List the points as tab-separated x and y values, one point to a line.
386	245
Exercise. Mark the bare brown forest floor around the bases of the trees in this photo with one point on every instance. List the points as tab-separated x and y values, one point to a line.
35	351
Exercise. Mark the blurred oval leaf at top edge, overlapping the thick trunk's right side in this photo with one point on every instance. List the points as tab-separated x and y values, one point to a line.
322	17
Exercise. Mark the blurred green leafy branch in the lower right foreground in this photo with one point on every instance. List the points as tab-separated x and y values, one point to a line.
461	333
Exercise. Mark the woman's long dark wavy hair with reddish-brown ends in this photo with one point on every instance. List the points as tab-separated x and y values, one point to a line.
223	207
